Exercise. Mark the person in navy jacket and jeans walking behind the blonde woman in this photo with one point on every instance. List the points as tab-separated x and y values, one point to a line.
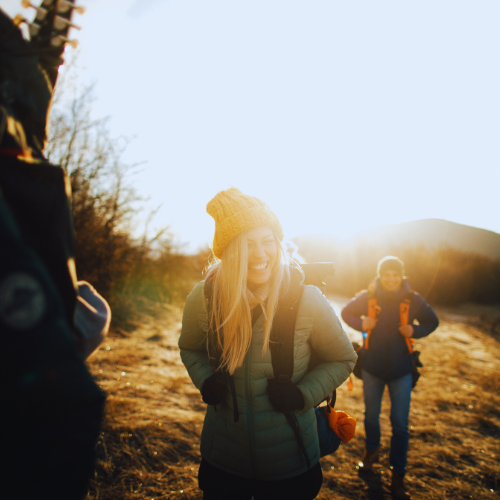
387	360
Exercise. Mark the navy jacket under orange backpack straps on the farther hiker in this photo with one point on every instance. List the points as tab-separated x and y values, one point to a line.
388	357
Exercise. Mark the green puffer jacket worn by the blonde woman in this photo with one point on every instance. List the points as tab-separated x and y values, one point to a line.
262	445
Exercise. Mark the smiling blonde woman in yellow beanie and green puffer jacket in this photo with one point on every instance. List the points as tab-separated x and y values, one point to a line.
248	447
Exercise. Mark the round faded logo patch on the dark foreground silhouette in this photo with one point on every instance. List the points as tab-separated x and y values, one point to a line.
22	301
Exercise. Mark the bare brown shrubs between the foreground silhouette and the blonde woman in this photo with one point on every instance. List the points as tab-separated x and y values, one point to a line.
133	274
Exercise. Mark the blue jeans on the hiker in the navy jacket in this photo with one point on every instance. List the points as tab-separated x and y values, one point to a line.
400	393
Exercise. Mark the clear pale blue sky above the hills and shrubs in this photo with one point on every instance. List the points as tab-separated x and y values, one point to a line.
340	115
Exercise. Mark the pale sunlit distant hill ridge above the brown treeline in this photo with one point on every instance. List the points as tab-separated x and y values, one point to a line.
431	233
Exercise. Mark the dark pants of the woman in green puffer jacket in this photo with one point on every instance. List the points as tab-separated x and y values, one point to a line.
219	485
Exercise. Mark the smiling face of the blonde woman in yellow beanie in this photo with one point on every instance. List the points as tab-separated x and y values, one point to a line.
262	255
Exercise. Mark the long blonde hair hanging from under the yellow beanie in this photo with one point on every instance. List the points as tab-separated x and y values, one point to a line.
230	309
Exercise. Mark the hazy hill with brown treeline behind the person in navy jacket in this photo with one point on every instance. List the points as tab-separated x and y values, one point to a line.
448	263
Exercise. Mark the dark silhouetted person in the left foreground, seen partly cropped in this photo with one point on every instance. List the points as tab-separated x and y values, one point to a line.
51	409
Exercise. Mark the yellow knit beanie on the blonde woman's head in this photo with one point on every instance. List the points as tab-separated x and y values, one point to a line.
234	213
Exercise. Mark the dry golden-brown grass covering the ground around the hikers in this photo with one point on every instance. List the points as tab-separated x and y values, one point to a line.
150	445
